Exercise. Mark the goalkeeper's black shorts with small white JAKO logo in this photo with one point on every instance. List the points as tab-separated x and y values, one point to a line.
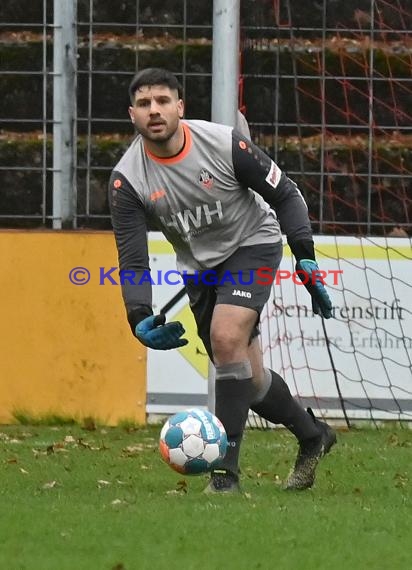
233	282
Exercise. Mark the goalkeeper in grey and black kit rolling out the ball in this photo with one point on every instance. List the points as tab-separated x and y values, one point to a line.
223	204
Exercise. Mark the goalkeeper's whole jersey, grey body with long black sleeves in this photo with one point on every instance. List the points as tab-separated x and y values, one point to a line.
219	193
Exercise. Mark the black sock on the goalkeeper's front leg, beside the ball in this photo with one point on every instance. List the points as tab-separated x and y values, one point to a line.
233	397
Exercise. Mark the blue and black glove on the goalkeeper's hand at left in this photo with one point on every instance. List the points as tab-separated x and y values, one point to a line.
154	333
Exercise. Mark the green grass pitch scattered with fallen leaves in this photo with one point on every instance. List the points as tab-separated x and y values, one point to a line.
73	499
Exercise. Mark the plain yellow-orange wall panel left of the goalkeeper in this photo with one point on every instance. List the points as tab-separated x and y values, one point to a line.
65	349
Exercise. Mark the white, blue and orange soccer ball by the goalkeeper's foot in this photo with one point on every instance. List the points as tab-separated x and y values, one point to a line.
193	441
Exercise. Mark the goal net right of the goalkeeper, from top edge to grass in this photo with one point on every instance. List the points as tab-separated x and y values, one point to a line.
327	91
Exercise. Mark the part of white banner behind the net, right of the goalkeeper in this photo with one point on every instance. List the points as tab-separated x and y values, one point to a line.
357	364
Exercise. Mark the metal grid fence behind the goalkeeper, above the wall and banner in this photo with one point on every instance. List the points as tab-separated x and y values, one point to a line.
326	88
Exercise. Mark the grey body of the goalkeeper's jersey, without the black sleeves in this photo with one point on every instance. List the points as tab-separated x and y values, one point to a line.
196	200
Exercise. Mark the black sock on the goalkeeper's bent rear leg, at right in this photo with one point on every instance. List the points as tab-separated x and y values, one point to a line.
279	407
